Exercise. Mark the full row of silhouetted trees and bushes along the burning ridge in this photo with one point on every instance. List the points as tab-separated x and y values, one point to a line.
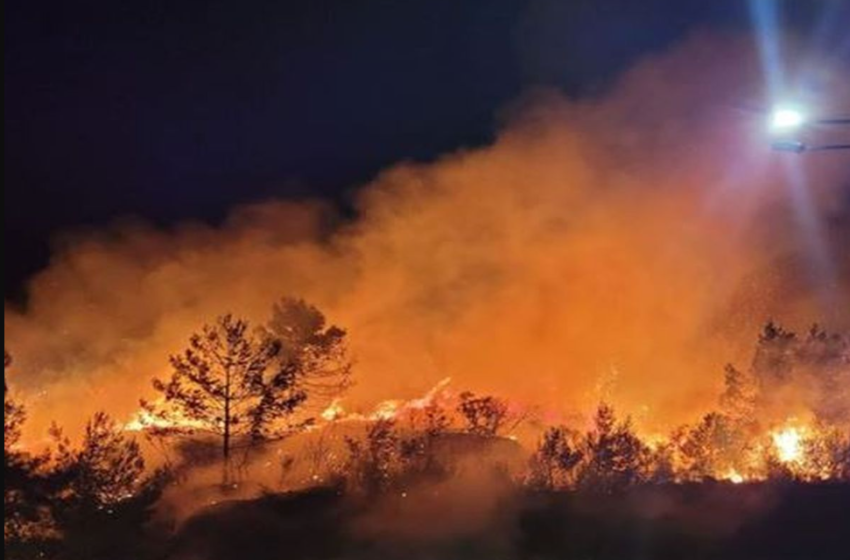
246	387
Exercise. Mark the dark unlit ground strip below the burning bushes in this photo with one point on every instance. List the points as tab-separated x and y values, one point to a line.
708	521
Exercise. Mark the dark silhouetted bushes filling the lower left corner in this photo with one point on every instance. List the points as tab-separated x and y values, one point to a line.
93	500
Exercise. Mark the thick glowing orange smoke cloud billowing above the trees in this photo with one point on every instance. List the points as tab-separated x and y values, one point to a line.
622	247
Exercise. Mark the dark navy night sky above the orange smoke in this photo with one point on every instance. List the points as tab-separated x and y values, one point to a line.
170	110
